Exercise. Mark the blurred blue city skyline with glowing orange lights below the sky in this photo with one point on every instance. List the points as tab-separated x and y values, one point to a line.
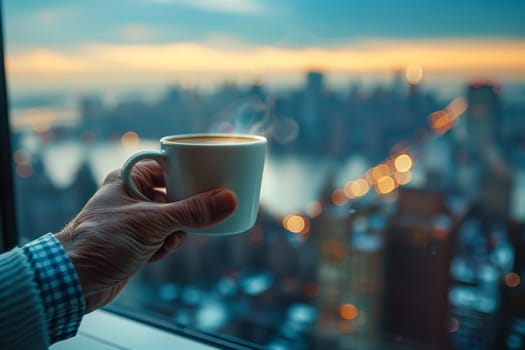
345	272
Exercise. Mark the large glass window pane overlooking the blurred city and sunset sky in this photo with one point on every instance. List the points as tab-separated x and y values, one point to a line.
393	202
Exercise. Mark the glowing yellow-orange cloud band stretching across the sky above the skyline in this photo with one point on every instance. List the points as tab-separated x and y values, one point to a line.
494	58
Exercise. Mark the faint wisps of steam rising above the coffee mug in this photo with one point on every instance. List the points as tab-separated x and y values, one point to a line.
253	116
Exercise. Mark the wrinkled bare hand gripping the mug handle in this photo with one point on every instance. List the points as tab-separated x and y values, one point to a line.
116	234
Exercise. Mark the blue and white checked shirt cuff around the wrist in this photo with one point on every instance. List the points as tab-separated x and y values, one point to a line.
59	286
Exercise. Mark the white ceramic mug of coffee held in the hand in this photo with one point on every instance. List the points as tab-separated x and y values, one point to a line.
196	163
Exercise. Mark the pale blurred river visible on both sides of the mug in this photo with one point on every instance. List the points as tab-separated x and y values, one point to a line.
290	182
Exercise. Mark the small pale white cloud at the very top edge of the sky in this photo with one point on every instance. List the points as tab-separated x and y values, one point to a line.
240	7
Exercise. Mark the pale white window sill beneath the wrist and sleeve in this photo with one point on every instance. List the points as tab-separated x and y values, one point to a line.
104	330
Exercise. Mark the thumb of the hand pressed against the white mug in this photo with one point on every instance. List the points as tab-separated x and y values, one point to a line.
201	210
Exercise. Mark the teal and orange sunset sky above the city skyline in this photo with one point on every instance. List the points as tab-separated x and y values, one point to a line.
66	44
